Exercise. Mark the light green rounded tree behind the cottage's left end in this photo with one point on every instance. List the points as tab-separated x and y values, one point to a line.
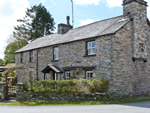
11	48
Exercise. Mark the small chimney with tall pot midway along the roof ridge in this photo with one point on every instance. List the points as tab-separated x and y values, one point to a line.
64	28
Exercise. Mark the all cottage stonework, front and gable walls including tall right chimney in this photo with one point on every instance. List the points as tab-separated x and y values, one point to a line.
114	56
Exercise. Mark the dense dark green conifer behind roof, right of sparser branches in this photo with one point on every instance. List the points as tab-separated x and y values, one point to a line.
43	23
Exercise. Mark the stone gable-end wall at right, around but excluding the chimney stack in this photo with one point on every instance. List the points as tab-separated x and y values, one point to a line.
128	77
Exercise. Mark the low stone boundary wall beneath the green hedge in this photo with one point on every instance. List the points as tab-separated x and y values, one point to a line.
55	96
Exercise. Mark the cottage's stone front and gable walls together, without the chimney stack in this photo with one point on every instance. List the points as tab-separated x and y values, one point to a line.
113	62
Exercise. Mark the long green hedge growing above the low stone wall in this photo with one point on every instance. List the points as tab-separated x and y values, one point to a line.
71	86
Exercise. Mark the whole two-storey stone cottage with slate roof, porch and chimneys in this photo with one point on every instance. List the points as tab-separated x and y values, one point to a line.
116	49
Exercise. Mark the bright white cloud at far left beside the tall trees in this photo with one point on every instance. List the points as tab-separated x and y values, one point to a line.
10	11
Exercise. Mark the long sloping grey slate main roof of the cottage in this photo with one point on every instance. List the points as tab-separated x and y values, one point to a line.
99	28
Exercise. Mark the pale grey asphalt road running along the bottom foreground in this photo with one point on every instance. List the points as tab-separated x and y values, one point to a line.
141	107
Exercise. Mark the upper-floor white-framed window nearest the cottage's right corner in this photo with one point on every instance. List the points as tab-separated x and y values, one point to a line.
91	48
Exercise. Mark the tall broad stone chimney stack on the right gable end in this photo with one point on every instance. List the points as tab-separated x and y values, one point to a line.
136	10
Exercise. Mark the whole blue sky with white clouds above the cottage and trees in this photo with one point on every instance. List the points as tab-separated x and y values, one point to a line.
85	12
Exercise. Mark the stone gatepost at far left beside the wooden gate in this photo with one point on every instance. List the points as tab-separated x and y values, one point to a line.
3	91
